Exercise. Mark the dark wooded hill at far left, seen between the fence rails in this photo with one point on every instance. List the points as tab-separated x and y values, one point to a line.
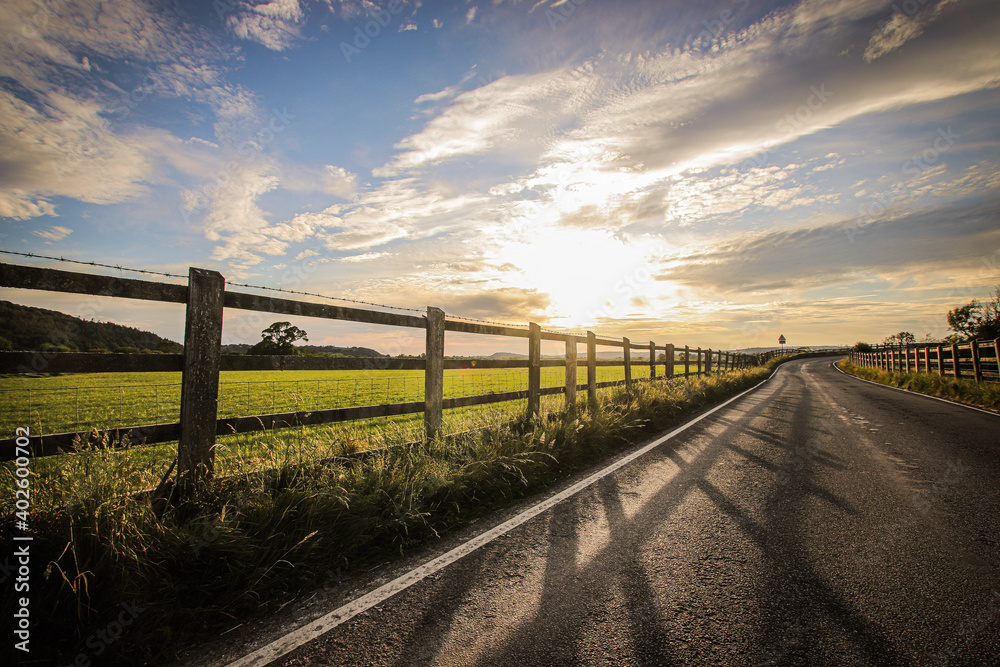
28	328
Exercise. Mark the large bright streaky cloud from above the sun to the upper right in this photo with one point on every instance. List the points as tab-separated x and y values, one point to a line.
636	131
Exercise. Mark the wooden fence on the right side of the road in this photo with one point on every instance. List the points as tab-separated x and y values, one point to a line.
976	359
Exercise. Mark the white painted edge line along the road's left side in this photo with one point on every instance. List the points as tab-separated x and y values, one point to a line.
286	644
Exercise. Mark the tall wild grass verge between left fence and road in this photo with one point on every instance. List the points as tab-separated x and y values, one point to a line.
112	581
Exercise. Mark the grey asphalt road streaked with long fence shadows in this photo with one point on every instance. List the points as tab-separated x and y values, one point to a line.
817	520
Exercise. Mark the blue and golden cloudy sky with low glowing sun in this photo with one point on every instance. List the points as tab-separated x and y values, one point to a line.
704	173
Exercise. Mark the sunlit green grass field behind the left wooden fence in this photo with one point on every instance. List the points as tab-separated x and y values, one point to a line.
79	402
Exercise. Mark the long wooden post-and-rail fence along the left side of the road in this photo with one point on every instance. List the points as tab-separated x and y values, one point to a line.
206	296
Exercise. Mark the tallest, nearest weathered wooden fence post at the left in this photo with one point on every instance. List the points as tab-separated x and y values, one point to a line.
200	379
